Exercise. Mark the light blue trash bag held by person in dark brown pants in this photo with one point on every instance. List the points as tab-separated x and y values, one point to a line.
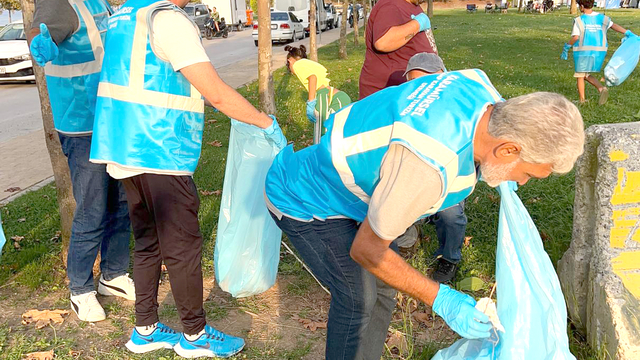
247	248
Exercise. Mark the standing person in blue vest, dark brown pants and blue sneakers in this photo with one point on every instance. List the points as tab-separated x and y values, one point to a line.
148	131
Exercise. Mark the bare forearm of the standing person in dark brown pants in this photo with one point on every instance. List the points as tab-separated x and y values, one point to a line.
224	98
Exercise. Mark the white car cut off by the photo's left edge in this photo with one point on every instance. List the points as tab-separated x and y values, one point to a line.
15	60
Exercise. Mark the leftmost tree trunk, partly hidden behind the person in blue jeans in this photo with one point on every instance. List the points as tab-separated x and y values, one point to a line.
66	203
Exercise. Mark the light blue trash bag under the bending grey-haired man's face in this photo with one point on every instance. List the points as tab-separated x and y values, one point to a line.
530	303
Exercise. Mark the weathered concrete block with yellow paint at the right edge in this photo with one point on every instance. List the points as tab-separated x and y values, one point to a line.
600	273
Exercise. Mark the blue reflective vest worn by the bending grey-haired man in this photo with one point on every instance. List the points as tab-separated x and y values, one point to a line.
434	116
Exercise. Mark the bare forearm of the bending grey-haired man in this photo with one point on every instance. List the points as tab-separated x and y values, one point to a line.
374	254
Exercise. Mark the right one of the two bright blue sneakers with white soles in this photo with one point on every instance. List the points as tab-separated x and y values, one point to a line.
212	343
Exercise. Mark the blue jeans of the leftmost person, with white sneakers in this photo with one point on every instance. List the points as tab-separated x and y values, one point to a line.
101	221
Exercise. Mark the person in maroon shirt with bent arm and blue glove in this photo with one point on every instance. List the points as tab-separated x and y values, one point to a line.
396	30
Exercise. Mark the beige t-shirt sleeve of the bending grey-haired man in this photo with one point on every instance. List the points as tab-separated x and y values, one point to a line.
407	189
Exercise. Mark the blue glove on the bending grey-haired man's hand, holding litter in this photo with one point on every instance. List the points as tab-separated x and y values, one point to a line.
458	310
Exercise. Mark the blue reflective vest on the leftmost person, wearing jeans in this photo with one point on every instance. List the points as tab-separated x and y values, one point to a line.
72	77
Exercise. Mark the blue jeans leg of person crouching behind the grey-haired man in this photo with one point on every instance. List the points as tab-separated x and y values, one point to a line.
451	225
